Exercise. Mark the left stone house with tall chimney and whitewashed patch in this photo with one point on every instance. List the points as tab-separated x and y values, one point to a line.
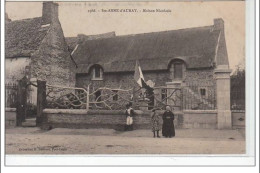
36	47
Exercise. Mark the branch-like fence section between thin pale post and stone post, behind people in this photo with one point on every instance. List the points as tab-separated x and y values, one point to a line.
116	99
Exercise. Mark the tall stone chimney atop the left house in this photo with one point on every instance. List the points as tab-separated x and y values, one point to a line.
49	12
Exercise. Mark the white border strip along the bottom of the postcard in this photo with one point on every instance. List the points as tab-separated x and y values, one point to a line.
128	160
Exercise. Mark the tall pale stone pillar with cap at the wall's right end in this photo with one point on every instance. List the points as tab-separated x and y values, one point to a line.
224	119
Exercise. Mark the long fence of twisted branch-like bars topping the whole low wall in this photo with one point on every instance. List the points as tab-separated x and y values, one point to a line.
187	97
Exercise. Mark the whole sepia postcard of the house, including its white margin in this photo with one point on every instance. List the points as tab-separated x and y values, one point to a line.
127	80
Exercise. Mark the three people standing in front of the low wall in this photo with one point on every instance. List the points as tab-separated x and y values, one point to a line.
168	129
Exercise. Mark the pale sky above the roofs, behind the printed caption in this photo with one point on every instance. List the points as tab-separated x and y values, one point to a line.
75	19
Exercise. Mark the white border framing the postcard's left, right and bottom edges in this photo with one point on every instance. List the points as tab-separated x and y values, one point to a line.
237	160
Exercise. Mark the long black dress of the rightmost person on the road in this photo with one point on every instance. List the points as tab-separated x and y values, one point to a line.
168	125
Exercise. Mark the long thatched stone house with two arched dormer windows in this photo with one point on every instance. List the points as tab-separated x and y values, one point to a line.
185	58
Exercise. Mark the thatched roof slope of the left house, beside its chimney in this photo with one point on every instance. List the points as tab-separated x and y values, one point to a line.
23	37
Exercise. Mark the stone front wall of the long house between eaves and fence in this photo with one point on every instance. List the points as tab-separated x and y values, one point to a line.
126	80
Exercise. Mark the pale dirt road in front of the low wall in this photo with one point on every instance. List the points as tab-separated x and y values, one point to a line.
32	140
